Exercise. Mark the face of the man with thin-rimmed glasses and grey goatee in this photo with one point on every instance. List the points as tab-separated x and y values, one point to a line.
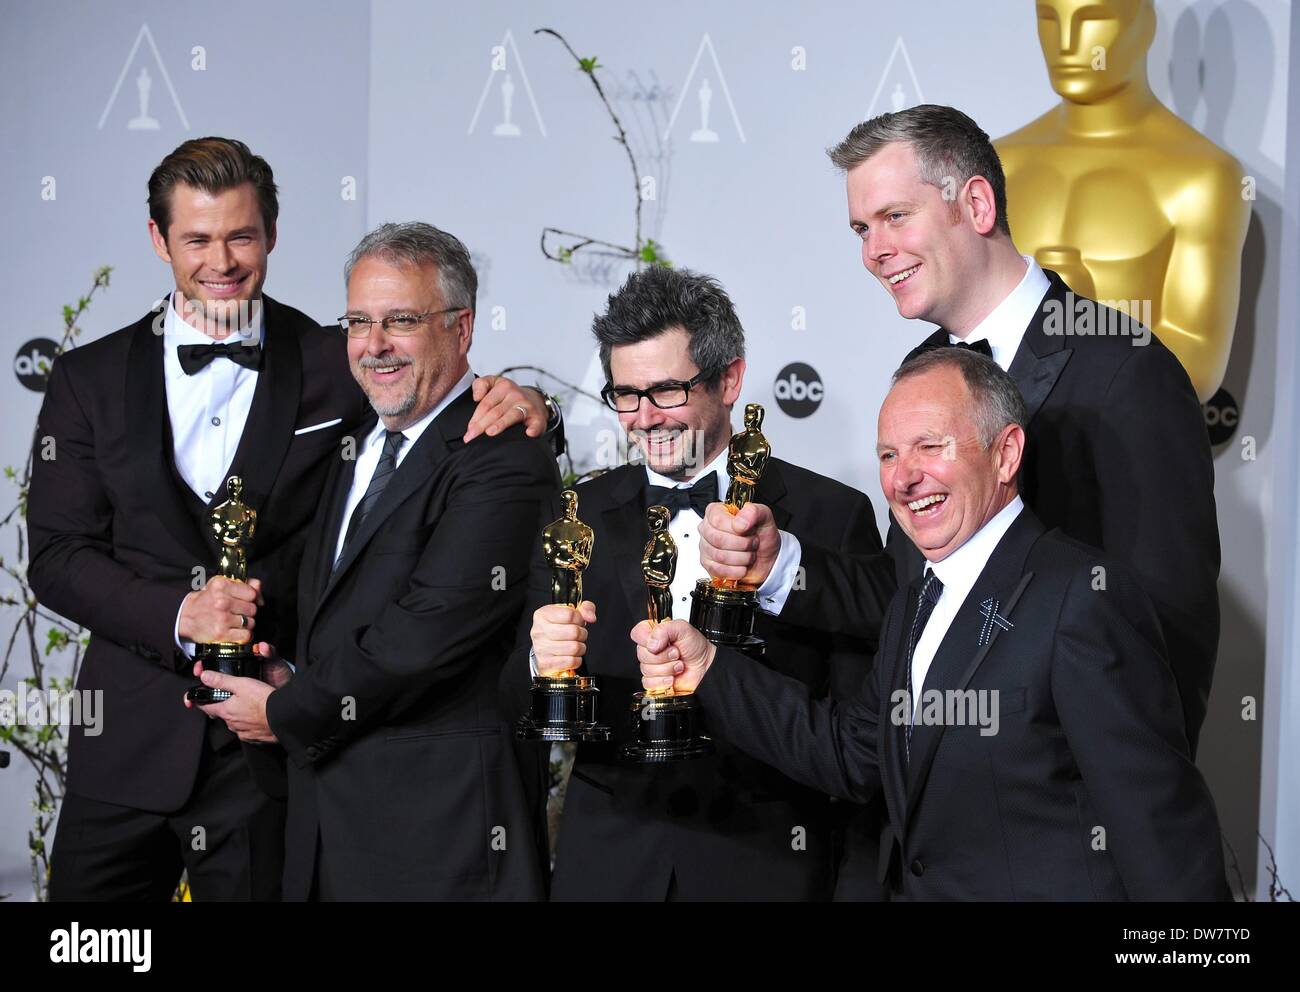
405	376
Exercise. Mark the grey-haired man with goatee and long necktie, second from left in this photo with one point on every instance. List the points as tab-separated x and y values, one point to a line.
405	779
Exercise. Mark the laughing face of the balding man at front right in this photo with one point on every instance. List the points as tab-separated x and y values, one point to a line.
942	483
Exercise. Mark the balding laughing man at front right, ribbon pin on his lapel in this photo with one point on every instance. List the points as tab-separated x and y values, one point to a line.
1021	718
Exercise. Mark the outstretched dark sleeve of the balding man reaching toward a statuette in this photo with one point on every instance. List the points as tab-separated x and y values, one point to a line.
827	746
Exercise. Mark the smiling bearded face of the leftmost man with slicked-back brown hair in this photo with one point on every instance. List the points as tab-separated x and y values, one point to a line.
218	249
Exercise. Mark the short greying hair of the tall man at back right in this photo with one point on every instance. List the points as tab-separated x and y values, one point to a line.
948	145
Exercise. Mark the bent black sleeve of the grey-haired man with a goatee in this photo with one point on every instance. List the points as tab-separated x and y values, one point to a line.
447	614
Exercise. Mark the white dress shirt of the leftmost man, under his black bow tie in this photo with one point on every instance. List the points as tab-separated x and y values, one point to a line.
210	409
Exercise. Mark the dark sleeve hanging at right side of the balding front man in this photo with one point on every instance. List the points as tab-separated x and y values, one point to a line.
1119	708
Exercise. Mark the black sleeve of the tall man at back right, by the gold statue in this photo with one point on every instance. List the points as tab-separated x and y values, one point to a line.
1156	483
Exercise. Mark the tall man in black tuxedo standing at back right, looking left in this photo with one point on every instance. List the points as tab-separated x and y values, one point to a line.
1113	426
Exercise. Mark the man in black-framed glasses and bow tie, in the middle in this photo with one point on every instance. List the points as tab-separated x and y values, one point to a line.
725	826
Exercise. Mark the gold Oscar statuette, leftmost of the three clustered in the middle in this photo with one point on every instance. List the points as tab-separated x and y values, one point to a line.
564	707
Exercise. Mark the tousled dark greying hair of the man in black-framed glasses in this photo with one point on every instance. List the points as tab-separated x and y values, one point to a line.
658	300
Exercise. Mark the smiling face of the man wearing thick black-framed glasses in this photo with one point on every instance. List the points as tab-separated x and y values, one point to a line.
668	437
